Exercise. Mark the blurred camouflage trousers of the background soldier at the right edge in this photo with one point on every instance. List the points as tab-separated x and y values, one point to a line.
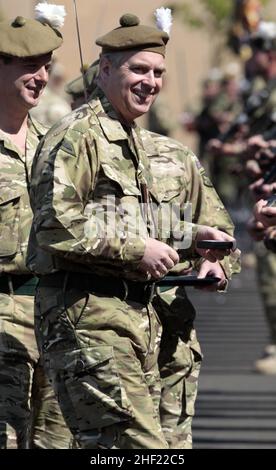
266	271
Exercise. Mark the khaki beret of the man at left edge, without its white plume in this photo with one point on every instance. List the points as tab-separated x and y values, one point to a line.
24	37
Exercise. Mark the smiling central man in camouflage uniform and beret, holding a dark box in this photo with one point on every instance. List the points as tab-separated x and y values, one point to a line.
98	257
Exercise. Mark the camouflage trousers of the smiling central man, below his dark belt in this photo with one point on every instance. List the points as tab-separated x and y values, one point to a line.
102	354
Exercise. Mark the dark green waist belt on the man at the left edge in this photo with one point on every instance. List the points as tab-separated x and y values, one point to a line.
22	284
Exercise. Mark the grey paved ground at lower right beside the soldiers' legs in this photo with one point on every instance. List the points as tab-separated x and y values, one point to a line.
236	408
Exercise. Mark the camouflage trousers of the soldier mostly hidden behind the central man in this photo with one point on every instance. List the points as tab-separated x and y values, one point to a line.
179	364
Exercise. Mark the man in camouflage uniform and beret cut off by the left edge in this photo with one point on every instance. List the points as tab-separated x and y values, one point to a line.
25	55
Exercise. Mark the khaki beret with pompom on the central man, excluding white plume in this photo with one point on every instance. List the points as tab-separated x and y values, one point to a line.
132	35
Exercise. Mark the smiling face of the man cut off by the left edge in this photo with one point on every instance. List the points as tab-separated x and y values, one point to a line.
23	80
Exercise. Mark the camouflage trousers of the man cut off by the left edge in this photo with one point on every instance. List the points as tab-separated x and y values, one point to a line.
29	413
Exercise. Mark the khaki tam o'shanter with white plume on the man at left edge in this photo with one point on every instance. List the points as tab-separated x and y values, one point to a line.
25	37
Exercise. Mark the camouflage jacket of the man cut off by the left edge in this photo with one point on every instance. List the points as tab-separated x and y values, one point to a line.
15	210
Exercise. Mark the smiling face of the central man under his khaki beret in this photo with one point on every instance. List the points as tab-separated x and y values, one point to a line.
134	85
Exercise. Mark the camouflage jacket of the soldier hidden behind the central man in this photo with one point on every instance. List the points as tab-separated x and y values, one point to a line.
180	179
